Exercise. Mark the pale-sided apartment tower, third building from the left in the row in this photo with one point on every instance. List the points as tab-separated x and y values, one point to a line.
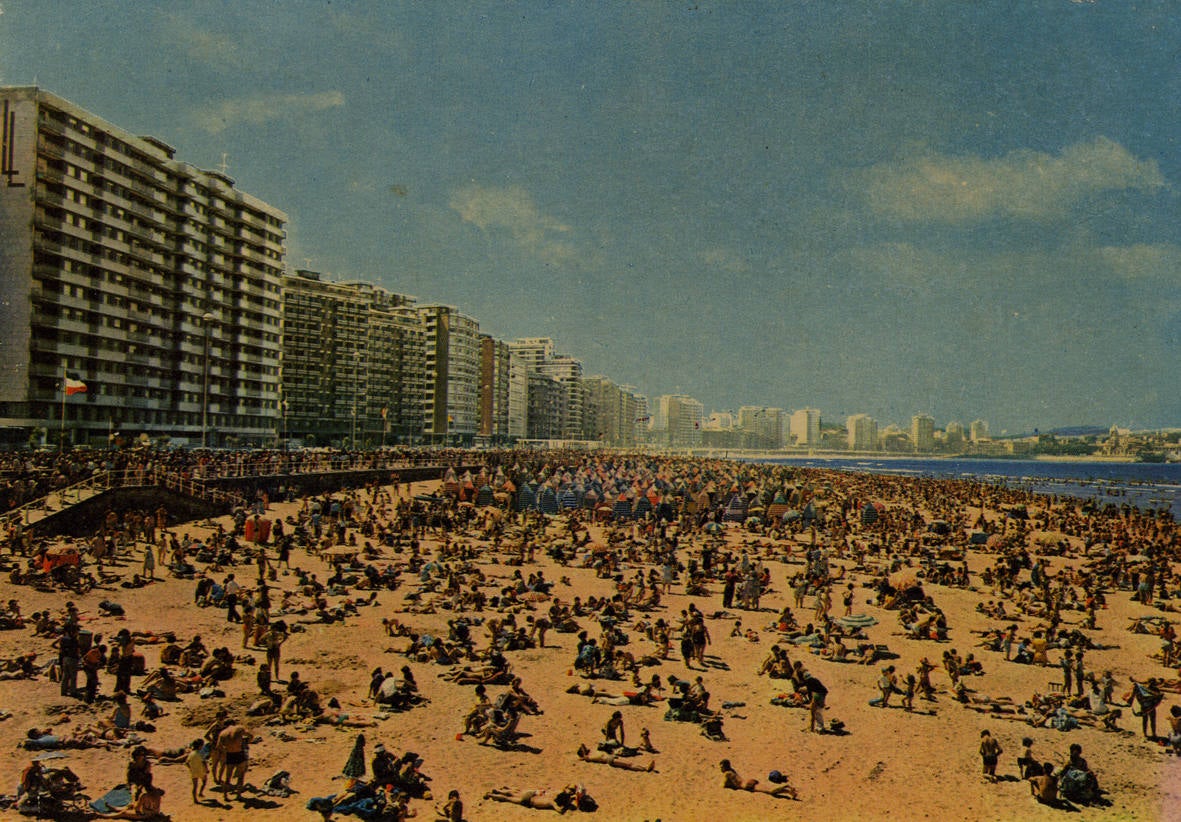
452	400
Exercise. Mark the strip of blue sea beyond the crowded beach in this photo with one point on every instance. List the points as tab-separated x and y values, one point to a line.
1144	486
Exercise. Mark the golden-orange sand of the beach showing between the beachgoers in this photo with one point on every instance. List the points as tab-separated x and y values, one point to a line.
886	765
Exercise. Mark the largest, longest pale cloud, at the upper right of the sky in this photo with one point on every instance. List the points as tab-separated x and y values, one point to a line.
1025	185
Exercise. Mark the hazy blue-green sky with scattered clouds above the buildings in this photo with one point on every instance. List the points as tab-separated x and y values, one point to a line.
969	211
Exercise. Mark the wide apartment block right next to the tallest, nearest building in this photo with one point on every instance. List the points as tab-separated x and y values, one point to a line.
353	363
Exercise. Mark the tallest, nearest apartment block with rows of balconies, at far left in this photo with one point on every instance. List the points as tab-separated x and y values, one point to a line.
152	282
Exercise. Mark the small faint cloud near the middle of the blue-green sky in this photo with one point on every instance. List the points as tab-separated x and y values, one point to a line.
513	210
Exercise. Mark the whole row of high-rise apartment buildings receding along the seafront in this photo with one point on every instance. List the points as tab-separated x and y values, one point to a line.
165	290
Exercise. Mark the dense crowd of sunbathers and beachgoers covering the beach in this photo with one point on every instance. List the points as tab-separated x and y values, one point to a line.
492	547
